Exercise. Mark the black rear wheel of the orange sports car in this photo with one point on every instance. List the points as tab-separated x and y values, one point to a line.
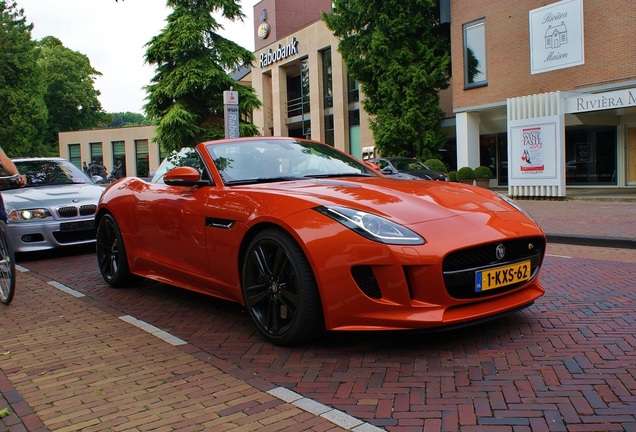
111	254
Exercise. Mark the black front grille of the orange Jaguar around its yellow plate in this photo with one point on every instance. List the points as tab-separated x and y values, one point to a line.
459	267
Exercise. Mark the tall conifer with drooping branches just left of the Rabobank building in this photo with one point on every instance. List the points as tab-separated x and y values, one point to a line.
185	97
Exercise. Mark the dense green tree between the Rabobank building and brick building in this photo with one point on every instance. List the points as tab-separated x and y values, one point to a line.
399	52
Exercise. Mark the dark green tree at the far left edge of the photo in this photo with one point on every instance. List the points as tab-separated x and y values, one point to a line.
23	114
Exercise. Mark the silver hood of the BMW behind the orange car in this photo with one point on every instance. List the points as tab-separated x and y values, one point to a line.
51	196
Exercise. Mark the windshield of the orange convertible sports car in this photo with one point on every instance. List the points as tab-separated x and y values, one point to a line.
262	160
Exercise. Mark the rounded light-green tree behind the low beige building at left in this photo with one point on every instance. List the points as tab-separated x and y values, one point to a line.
70	96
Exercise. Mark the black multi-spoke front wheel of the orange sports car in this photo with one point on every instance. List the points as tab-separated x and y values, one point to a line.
280	290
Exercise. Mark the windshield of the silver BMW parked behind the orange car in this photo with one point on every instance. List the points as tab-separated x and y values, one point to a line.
44	172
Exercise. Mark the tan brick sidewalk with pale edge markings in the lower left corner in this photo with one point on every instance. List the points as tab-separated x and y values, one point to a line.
64	357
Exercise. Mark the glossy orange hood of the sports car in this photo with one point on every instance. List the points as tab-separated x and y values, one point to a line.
407	202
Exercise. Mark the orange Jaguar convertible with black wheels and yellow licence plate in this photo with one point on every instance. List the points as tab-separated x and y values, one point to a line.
309	239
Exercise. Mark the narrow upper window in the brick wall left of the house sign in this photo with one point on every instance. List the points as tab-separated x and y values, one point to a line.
475	69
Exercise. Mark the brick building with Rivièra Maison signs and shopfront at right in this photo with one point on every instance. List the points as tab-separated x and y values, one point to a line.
591	44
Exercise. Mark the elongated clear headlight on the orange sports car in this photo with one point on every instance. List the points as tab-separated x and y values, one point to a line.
371	226
